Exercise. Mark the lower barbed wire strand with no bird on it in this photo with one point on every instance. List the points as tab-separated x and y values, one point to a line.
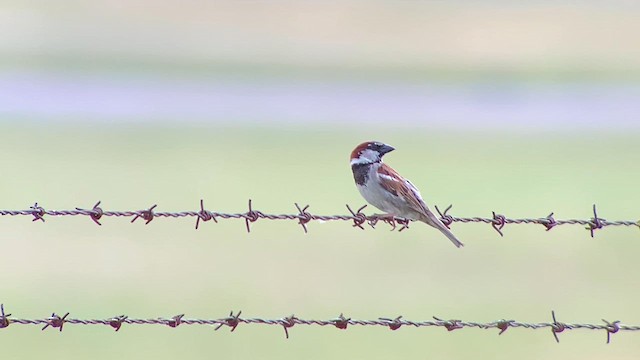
341	322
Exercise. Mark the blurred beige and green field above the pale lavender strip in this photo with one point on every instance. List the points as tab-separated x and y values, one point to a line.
389	40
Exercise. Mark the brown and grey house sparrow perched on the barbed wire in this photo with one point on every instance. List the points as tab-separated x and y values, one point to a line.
385	189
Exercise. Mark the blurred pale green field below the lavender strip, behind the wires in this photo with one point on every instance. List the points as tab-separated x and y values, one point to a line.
166	267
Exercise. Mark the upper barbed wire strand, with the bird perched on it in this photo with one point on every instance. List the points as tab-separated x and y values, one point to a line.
303	217
